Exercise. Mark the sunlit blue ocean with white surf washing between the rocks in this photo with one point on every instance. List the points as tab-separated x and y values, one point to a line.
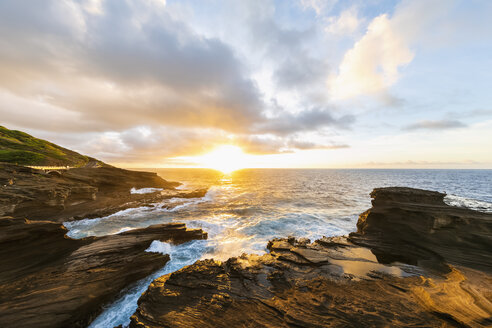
244	209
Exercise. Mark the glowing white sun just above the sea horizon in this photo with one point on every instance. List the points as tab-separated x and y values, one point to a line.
225	158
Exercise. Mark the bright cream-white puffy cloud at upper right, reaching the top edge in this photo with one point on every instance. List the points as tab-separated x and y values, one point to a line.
372	65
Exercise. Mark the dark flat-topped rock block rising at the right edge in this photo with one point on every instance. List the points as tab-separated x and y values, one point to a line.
416	226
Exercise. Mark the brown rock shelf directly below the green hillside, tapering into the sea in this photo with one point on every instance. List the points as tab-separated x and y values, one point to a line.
77	193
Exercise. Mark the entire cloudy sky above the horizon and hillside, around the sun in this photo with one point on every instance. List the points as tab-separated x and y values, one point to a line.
300	83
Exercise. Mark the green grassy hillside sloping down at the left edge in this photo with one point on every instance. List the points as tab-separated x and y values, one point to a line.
23	149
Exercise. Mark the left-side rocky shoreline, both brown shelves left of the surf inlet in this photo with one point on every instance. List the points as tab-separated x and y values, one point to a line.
50	280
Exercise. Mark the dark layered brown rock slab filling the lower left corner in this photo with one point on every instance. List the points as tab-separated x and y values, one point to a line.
50	280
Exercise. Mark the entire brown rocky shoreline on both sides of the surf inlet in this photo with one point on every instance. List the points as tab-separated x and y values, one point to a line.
413	262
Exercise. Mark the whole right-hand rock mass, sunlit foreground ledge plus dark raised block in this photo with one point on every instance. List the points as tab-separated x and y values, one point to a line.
334	282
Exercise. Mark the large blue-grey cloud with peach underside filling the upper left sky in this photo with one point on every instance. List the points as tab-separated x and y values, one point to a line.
131	64
